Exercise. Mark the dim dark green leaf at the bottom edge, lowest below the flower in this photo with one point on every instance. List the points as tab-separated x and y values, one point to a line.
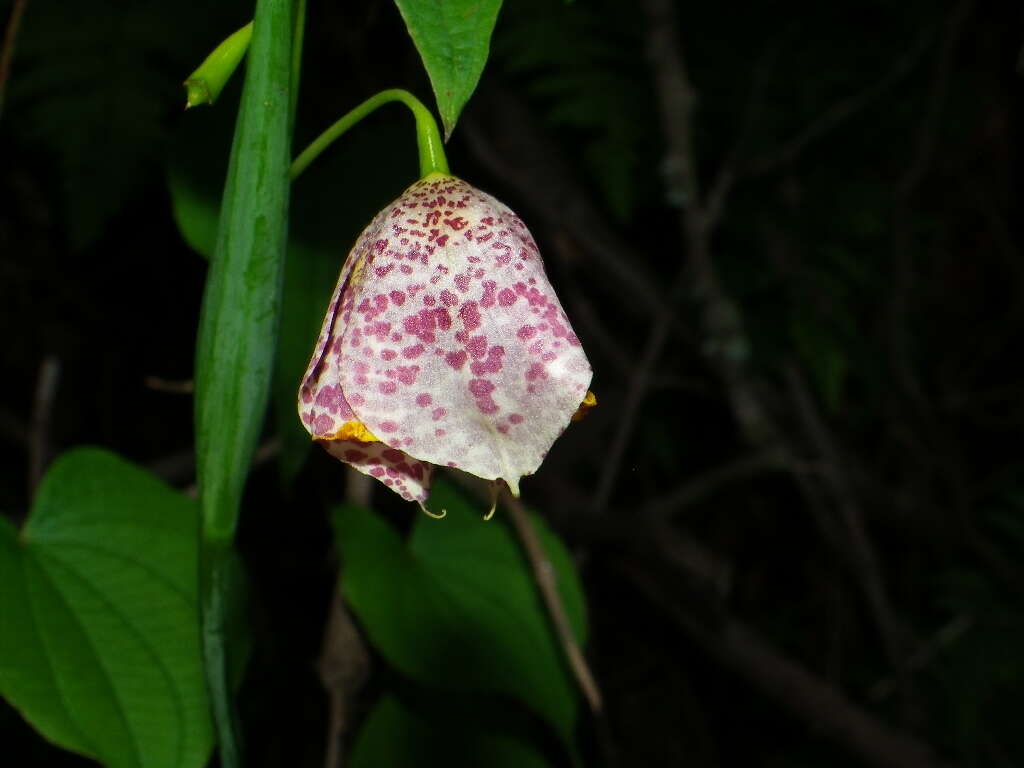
440	733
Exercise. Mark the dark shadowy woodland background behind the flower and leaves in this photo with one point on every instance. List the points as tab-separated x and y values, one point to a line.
789	237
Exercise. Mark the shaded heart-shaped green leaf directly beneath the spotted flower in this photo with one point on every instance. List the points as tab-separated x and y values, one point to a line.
457	607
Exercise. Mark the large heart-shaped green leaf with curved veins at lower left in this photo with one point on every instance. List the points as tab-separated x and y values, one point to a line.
99	644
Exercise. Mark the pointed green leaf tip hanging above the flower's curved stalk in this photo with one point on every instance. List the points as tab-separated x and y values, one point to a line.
454	40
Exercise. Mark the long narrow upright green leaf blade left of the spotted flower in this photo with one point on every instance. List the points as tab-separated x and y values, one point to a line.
239	330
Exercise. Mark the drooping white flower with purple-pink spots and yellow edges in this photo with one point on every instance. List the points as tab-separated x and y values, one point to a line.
444	345
